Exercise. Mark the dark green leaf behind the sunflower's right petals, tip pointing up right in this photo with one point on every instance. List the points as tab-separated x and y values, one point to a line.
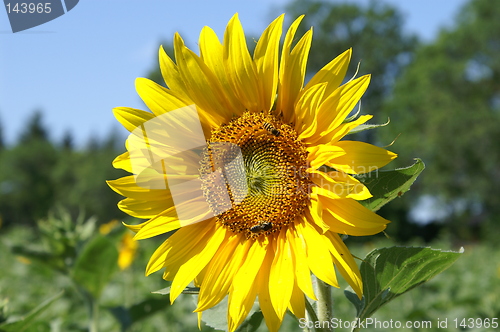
387	185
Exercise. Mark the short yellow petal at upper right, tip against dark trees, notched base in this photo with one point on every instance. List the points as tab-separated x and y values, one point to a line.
333	73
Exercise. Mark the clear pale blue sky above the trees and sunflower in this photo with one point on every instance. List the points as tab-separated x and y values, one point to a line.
79	66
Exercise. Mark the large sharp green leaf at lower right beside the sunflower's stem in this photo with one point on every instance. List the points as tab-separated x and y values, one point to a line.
391	272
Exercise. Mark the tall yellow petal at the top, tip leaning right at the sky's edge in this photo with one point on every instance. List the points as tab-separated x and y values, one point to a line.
266	61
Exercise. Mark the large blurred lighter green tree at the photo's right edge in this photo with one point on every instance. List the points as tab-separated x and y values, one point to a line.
447	107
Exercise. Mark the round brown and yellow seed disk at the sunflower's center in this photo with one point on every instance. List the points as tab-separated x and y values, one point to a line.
254	175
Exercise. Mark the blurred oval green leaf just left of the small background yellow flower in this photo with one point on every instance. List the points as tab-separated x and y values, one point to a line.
95	265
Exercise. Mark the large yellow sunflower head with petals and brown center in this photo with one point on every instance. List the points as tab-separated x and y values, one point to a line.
248	166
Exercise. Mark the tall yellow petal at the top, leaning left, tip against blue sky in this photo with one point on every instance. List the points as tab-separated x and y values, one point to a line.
240	68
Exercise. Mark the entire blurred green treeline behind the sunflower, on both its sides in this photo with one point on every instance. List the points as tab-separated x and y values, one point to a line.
442	98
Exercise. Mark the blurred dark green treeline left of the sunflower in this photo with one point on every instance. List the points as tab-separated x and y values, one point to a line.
38	175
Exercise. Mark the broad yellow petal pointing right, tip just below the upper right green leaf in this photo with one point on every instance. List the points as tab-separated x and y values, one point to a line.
347	216
